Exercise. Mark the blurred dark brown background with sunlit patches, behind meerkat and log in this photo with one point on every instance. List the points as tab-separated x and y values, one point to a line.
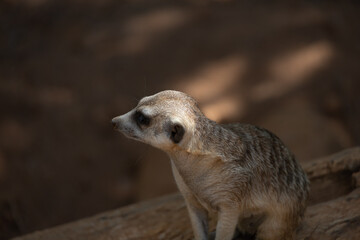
67	67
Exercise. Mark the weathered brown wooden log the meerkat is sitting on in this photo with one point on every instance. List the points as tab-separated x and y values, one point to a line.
333	212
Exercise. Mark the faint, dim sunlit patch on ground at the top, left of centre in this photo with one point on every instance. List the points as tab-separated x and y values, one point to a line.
141	30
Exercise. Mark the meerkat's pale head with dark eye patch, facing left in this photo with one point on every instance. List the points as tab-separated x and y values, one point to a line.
165	120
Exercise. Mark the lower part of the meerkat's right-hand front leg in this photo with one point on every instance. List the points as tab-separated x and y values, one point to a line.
226	225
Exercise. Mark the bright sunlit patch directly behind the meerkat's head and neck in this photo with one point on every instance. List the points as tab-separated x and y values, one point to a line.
212	86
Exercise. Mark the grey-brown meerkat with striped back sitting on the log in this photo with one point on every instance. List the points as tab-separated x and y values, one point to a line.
242	173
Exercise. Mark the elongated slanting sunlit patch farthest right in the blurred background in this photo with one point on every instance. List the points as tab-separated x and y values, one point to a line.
293	69
